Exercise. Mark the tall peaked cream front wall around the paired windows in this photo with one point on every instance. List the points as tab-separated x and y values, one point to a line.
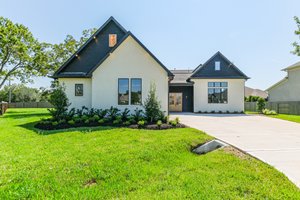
129	60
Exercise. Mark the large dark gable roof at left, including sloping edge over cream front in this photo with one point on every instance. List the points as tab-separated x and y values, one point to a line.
92	53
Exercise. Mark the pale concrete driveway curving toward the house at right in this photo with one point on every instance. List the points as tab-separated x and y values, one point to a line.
274	141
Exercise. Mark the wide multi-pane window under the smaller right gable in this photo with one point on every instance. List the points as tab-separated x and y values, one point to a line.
217	92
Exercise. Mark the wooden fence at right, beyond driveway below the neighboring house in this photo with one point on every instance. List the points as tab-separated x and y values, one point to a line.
288	107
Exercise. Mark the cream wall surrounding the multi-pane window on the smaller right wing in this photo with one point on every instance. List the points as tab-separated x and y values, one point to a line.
236	93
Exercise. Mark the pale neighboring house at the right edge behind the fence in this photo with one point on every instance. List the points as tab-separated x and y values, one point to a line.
288	89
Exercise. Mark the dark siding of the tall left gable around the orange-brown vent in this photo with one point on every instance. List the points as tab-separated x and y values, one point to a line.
92	52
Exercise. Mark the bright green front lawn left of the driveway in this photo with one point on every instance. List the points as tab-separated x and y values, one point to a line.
123	163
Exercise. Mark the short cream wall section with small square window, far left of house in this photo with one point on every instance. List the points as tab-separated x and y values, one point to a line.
78	101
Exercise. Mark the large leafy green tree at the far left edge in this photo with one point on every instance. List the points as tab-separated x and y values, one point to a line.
21	55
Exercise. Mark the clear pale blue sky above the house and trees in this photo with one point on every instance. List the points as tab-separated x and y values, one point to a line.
255	35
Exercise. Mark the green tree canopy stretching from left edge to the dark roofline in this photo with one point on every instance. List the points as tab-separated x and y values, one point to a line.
22	56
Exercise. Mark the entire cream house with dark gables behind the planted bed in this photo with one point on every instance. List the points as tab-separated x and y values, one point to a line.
113	68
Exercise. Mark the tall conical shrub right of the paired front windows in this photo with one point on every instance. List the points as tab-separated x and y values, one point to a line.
152	105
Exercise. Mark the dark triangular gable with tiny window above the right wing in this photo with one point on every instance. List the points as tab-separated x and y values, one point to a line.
228	69
